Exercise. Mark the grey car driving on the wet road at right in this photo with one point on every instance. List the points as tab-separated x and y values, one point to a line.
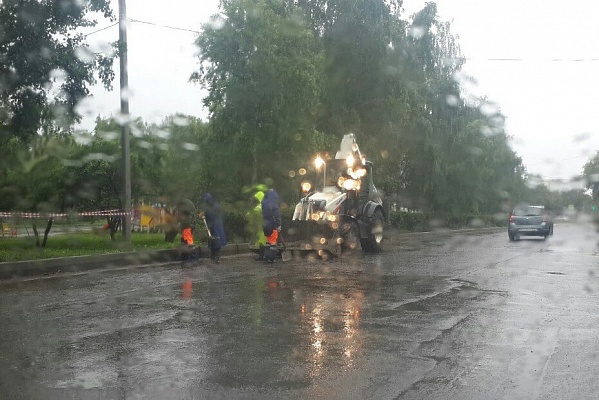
527	220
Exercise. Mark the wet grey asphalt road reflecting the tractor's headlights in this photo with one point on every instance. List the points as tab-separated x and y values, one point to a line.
443	316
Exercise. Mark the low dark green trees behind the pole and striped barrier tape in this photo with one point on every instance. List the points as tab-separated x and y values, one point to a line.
83	171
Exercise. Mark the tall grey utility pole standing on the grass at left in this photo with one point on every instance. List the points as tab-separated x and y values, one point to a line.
126	155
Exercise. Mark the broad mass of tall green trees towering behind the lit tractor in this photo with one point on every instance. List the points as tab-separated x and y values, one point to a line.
389	80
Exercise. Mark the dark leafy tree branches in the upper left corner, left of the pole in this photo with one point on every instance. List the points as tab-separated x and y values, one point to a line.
45	64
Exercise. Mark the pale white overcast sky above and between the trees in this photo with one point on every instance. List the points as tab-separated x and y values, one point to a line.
537	60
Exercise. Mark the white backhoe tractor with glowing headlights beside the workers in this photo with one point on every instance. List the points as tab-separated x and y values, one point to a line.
340	208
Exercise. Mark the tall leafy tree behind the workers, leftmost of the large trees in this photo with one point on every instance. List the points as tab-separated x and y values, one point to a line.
262	67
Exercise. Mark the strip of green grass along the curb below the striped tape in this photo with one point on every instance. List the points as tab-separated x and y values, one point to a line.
77	244
